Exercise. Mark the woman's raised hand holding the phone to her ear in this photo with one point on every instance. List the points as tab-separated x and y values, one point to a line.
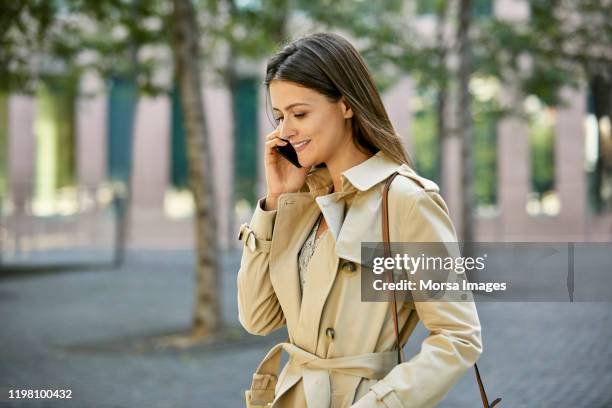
281	175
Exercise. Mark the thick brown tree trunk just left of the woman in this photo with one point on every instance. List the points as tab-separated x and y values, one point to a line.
206	320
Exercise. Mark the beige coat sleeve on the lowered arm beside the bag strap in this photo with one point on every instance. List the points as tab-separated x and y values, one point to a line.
454	342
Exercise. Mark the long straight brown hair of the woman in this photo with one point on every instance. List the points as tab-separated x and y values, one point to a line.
329	64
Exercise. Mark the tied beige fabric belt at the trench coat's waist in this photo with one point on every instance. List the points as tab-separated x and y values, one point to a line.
314	372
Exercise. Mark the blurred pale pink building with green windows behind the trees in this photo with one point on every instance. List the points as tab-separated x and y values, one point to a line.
64	156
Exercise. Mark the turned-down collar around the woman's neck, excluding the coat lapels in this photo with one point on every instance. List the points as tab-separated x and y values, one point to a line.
361	177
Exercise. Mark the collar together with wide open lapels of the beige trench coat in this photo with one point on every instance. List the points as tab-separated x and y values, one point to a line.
349	227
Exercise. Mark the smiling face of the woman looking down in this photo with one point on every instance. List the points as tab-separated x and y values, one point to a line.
316	127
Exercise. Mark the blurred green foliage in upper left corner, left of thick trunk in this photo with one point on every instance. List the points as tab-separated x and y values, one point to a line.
40	37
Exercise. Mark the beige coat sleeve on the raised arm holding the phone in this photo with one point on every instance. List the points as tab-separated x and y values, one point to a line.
259	311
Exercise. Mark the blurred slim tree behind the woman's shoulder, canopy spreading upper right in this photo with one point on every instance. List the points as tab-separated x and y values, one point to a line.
566	42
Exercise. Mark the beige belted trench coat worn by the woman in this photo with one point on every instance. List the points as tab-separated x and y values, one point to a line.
329	321
